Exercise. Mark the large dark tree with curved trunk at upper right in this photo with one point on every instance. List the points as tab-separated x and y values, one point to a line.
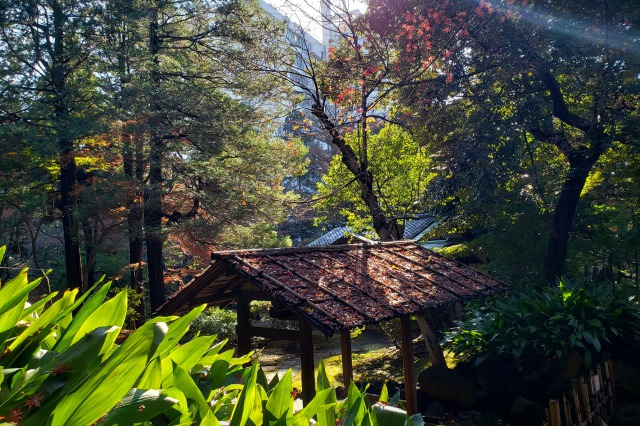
568	72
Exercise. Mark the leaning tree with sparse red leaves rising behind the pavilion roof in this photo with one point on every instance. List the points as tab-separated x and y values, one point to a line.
365	76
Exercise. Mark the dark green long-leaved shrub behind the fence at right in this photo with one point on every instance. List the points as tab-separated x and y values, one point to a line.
548	322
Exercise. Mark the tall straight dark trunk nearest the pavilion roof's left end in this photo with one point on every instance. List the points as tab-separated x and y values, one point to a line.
153	194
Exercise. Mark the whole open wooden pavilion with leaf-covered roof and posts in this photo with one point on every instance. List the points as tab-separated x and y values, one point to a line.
334	289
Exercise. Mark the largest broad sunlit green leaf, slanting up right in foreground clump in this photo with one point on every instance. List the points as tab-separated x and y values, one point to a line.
108	384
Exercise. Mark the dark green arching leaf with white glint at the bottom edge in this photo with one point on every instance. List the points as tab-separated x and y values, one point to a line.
139	405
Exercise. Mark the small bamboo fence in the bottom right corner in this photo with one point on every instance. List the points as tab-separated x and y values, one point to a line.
590	401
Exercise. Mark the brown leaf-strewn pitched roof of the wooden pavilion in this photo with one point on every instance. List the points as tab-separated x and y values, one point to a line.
340	287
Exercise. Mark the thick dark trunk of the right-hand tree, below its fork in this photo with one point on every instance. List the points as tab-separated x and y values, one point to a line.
566	207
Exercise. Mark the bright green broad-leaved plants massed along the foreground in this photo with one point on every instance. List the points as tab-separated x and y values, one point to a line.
60	365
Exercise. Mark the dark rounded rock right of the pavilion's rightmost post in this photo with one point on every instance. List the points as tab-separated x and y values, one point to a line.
447	385
